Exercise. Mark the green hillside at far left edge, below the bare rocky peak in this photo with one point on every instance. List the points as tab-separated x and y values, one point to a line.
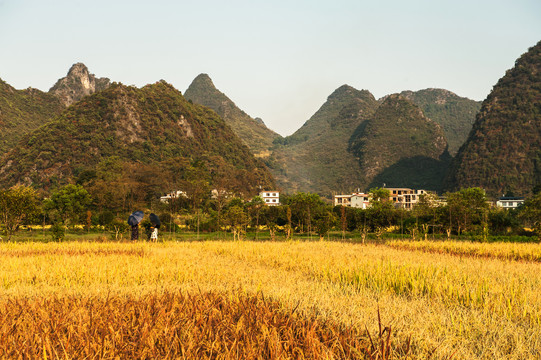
22	111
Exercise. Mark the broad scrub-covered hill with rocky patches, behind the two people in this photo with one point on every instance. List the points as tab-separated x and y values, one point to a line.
154	128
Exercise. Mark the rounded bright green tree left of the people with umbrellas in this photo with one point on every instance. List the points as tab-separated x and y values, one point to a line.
69	203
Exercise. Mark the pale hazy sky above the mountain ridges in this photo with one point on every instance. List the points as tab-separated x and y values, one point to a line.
278	60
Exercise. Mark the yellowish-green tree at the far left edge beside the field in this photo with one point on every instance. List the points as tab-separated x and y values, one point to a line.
17	205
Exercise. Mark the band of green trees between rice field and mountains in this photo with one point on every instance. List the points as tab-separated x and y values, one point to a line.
463	213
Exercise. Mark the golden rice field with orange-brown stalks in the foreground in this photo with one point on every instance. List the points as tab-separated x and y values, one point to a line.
224	300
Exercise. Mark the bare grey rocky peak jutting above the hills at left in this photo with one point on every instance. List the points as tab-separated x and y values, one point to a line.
77	84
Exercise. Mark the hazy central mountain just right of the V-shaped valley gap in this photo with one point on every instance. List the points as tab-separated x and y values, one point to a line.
316	157
